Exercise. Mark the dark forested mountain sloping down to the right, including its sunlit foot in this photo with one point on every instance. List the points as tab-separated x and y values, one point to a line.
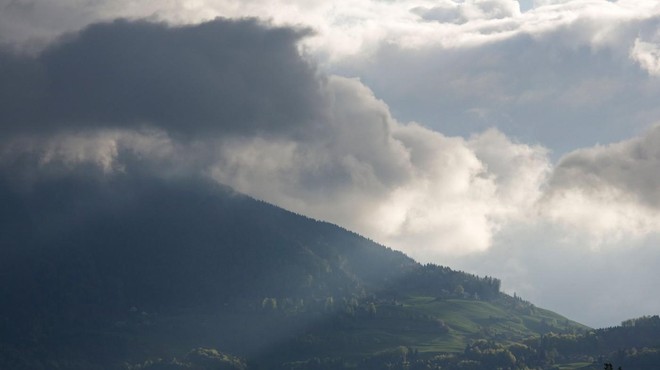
119	271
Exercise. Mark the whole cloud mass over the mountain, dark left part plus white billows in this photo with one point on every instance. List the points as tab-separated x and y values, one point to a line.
235	100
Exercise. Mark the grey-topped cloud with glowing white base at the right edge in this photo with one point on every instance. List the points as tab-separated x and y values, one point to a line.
611	192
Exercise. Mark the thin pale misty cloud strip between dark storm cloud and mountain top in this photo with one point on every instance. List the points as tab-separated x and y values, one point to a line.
110	151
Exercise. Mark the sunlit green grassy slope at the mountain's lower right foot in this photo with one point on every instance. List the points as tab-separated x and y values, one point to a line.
417	322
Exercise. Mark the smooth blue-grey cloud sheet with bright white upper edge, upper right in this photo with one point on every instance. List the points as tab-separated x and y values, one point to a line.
564	68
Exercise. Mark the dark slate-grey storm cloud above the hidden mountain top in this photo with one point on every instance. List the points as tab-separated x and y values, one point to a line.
223	76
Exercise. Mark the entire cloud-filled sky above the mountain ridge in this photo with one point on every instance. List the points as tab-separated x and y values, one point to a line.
515	139
